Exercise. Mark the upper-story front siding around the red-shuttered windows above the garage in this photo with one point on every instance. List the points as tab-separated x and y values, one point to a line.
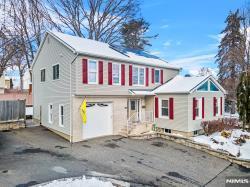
105	89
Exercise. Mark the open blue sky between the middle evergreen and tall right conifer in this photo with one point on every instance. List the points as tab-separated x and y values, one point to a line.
188	30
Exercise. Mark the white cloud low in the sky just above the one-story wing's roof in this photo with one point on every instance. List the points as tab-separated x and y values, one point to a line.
192	64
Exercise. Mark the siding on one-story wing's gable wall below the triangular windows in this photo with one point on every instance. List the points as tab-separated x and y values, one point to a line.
208	99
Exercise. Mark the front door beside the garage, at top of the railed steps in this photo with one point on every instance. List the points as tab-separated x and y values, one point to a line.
134	109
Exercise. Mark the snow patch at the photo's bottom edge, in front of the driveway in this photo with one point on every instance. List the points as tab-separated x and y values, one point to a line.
77	182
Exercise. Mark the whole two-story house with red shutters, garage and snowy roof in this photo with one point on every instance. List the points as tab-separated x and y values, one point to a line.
121	87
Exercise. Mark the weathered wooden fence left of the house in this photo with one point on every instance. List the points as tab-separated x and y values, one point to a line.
11	111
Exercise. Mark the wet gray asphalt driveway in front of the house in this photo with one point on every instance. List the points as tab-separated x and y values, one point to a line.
35	155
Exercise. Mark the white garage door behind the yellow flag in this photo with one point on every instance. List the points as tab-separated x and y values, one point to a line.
99	120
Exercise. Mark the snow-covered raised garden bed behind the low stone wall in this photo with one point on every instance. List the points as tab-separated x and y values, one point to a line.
218	142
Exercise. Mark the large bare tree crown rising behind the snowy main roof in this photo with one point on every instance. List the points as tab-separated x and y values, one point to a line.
99	20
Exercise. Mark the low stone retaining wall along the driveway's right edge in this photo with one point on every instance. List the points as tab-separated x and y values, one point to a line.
190	143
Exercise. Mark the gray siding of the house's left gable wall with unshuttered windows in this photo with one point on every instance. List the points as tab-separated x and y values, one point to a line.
52	91
